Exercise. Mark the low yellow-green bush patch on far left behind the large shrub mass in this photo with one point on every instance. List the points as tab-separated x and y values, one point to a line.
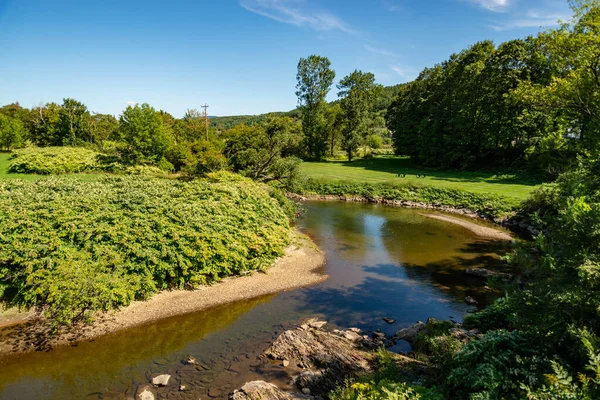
53	160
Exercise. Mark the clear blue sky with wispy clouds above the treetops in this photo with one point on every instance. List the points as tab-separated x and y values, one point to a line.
239	56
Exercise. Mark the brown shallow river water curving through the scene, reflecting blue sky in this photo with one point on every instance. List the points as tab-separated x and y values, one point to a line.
382	261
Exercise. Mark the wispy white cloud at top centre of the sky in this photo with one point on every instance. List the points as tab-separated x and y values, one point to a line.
295	13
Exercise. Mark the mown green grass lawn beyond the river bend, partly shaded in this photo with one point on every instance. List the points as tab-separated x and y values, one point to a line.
385	169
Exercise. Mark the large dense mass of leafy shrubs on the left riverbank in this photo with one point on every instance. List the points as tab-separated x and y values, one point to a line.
71	247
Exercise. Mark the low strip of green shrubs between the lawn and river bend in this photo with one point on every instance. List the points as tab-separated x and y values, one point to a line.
492	205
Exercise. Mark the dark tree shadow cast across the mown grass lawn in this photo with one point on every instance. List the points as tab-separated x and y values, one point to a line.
404	165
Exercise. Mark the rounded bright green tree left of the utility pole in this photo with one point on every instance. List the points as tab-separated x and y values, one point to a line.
147	137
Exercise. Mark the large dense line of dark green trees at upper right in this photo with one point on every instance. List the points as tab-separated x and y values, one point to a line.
528	102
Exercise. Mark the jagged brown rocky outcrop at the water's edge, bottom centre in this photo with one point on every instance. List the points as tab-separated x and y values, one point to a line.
318	361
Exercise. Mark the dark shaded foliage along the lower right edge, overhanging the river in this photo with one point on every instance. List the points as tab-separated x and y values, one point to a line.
553	312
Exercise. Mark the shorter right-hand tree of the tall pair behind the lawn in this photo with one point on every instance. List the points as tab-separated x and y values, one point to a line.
358	91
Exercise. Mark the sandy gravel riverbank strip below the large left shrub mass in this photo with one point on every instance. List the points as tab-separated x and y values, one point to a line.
302	265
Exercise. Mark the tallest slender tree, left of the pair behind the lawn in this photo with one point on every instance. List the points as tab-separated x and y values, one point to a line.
314	78
